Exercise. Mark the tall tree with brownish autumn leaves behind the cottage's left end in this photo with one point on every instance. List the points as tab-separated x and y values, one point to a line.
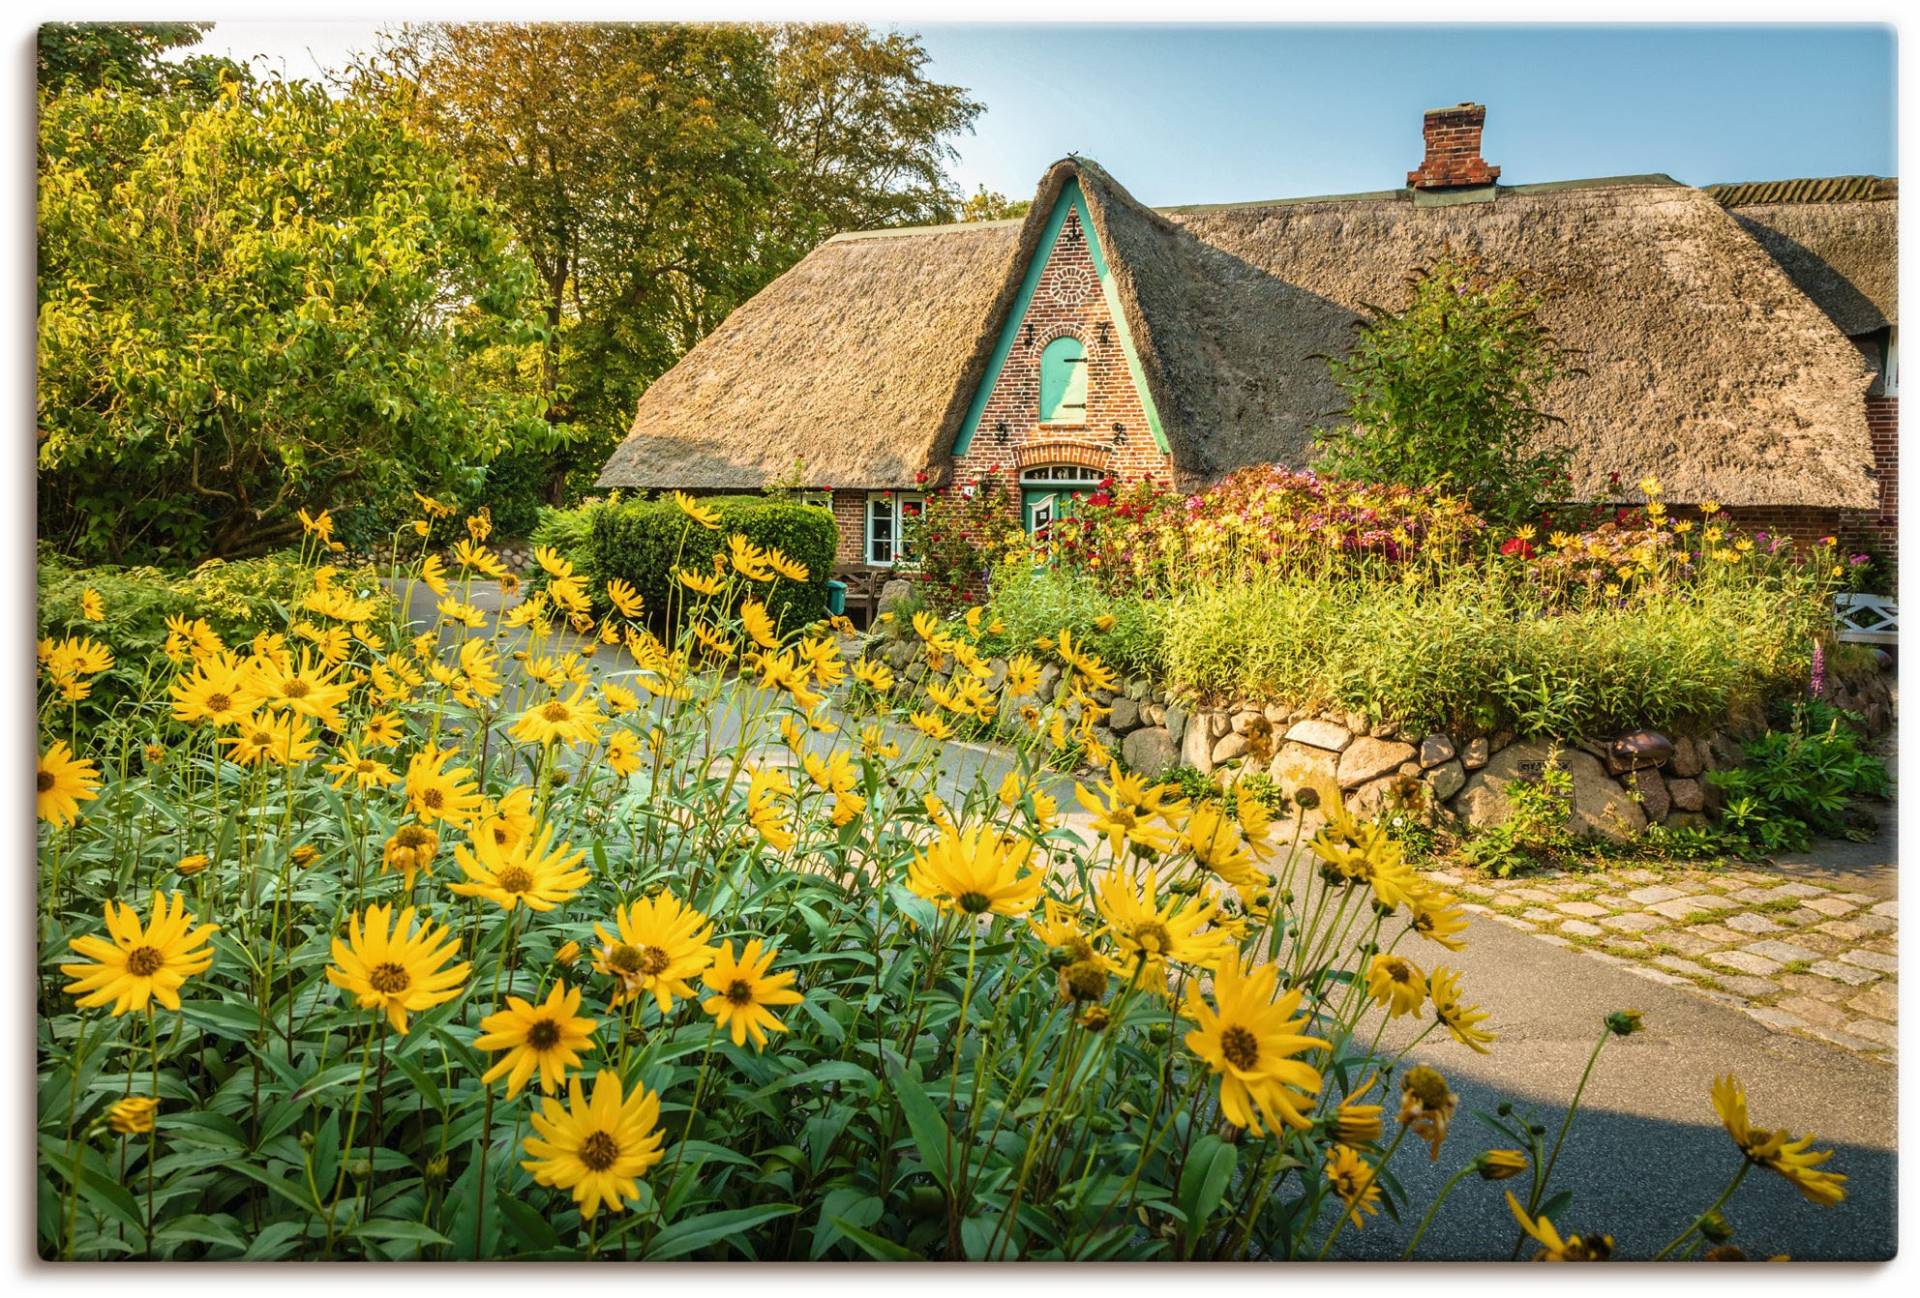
660	176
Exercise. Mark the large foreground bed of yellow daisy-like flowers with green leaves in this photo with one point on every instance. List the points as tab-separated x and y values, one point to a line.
456	944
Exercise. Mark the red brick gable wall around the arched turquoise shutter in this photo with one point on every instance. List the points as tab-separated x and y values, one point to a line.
1067	300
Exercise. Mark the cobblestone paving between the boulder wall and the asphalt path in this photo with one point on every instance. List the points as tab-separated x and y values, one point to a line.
1798	957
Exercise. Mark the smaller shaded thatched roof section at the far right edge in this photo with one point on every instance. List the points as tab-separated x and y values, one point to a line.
1836	237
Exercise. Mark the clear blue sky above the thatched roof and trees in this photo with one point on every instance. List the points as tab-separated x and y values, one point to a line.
1218	114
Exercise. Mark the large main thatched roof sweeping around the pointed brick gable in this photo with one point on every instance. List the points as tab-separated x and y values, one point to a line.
1704	362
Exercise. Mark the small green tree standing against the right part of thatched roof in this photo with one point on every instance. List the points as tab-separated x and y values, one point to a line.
1449	393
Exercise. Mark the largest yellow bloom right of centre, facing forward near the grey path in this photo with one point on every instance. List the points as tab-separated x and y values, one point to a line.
1251	1038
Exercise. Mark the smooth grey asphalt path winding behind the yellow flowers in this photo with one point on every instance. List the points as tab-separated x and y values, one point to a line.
1646	1151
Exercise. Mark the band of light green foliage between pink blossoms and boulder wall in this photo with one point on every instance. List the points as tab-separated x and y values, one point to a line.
1477	650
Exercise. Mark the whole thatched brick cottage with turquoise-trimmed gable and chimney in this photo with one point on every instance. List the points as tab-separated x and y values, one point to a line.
1739	343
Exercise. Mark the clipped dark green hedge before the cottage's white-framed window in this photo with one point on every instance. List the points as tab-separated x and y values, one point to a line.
648	541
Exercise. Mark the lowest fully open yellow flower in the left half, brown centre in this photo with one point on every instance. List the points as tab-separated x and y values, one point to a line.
596	1149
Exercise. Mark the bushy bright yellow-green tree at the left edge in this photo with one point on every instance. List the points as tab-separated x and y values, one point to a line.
270	302
